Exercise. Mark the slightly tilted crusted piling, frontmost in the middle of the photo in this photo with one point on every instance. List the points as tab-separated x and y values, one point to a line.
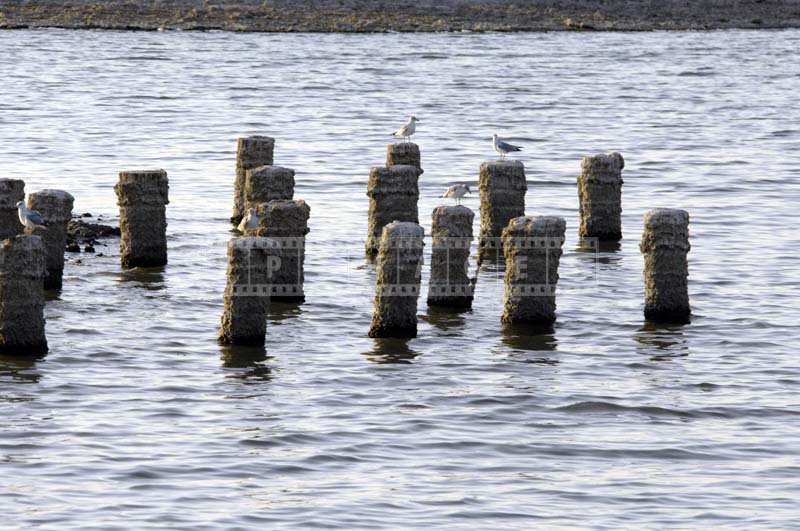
398	278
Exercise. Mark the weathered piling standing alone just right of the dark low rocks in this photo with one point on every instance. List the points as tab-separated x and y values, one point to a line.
142	197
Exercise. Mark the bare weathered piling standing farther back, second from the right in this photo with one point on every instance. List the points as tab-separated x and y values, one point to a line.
600	197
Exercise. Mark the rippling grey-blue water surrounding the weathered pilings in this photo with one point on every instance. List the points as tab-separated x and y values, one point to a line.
138	418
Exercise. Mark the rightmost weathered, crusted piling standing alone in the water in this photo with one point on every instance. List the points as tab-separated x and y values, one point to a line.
665	244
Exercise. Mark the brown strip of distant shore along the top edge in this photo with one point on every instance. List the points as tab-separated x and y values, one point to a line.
358	16
